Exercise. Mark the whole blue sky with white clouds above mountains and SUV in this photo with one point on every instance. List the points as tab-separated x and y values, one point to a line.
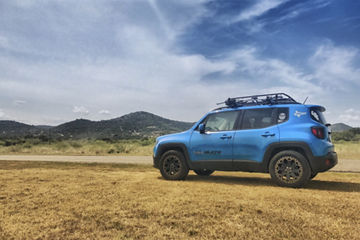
62	60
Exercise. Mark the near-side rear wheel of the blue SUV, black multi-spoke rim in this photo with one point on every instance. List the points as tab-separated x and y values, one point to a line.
289	169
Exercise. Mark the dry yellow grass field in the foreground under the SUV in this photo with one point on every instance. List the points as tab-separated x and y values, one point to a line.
73	201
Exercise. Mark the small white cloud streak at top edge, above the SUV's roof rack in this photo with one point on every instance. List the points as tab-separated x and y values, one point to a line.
258	9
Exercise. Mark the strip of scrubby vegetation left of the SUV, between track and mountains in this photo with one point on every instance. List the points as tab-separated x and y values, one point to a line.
77	147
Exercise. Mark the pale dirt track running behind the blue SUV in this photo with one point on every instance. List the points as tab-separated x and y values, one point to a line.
344	165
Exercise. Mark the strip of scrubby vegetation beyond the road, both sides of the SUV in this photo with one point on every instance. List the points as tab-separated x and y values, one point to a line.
347	145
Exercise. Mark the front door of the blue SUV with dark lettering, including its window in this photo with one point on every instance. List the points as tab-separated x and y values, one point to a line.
214	148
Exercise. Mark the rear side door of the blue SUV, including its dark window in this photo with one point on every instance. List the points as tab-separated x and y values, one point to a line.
256	131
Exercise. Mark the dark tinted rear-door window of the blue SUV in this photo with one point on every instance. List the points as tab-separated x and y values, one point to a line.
258	118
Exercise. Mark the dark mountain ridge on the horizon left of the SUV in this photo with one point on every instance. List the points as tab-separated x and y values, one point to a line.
137	124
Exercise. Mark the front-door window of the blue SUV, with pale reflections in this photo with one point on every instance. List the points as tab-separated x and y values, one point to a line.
223	121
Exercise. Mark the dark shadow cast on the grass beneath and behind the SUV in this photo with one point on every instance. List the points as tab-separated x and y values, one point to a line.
258	181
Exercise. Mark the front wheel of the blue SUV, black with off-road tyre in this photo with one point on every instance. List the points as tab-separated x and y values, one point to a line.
173	165
